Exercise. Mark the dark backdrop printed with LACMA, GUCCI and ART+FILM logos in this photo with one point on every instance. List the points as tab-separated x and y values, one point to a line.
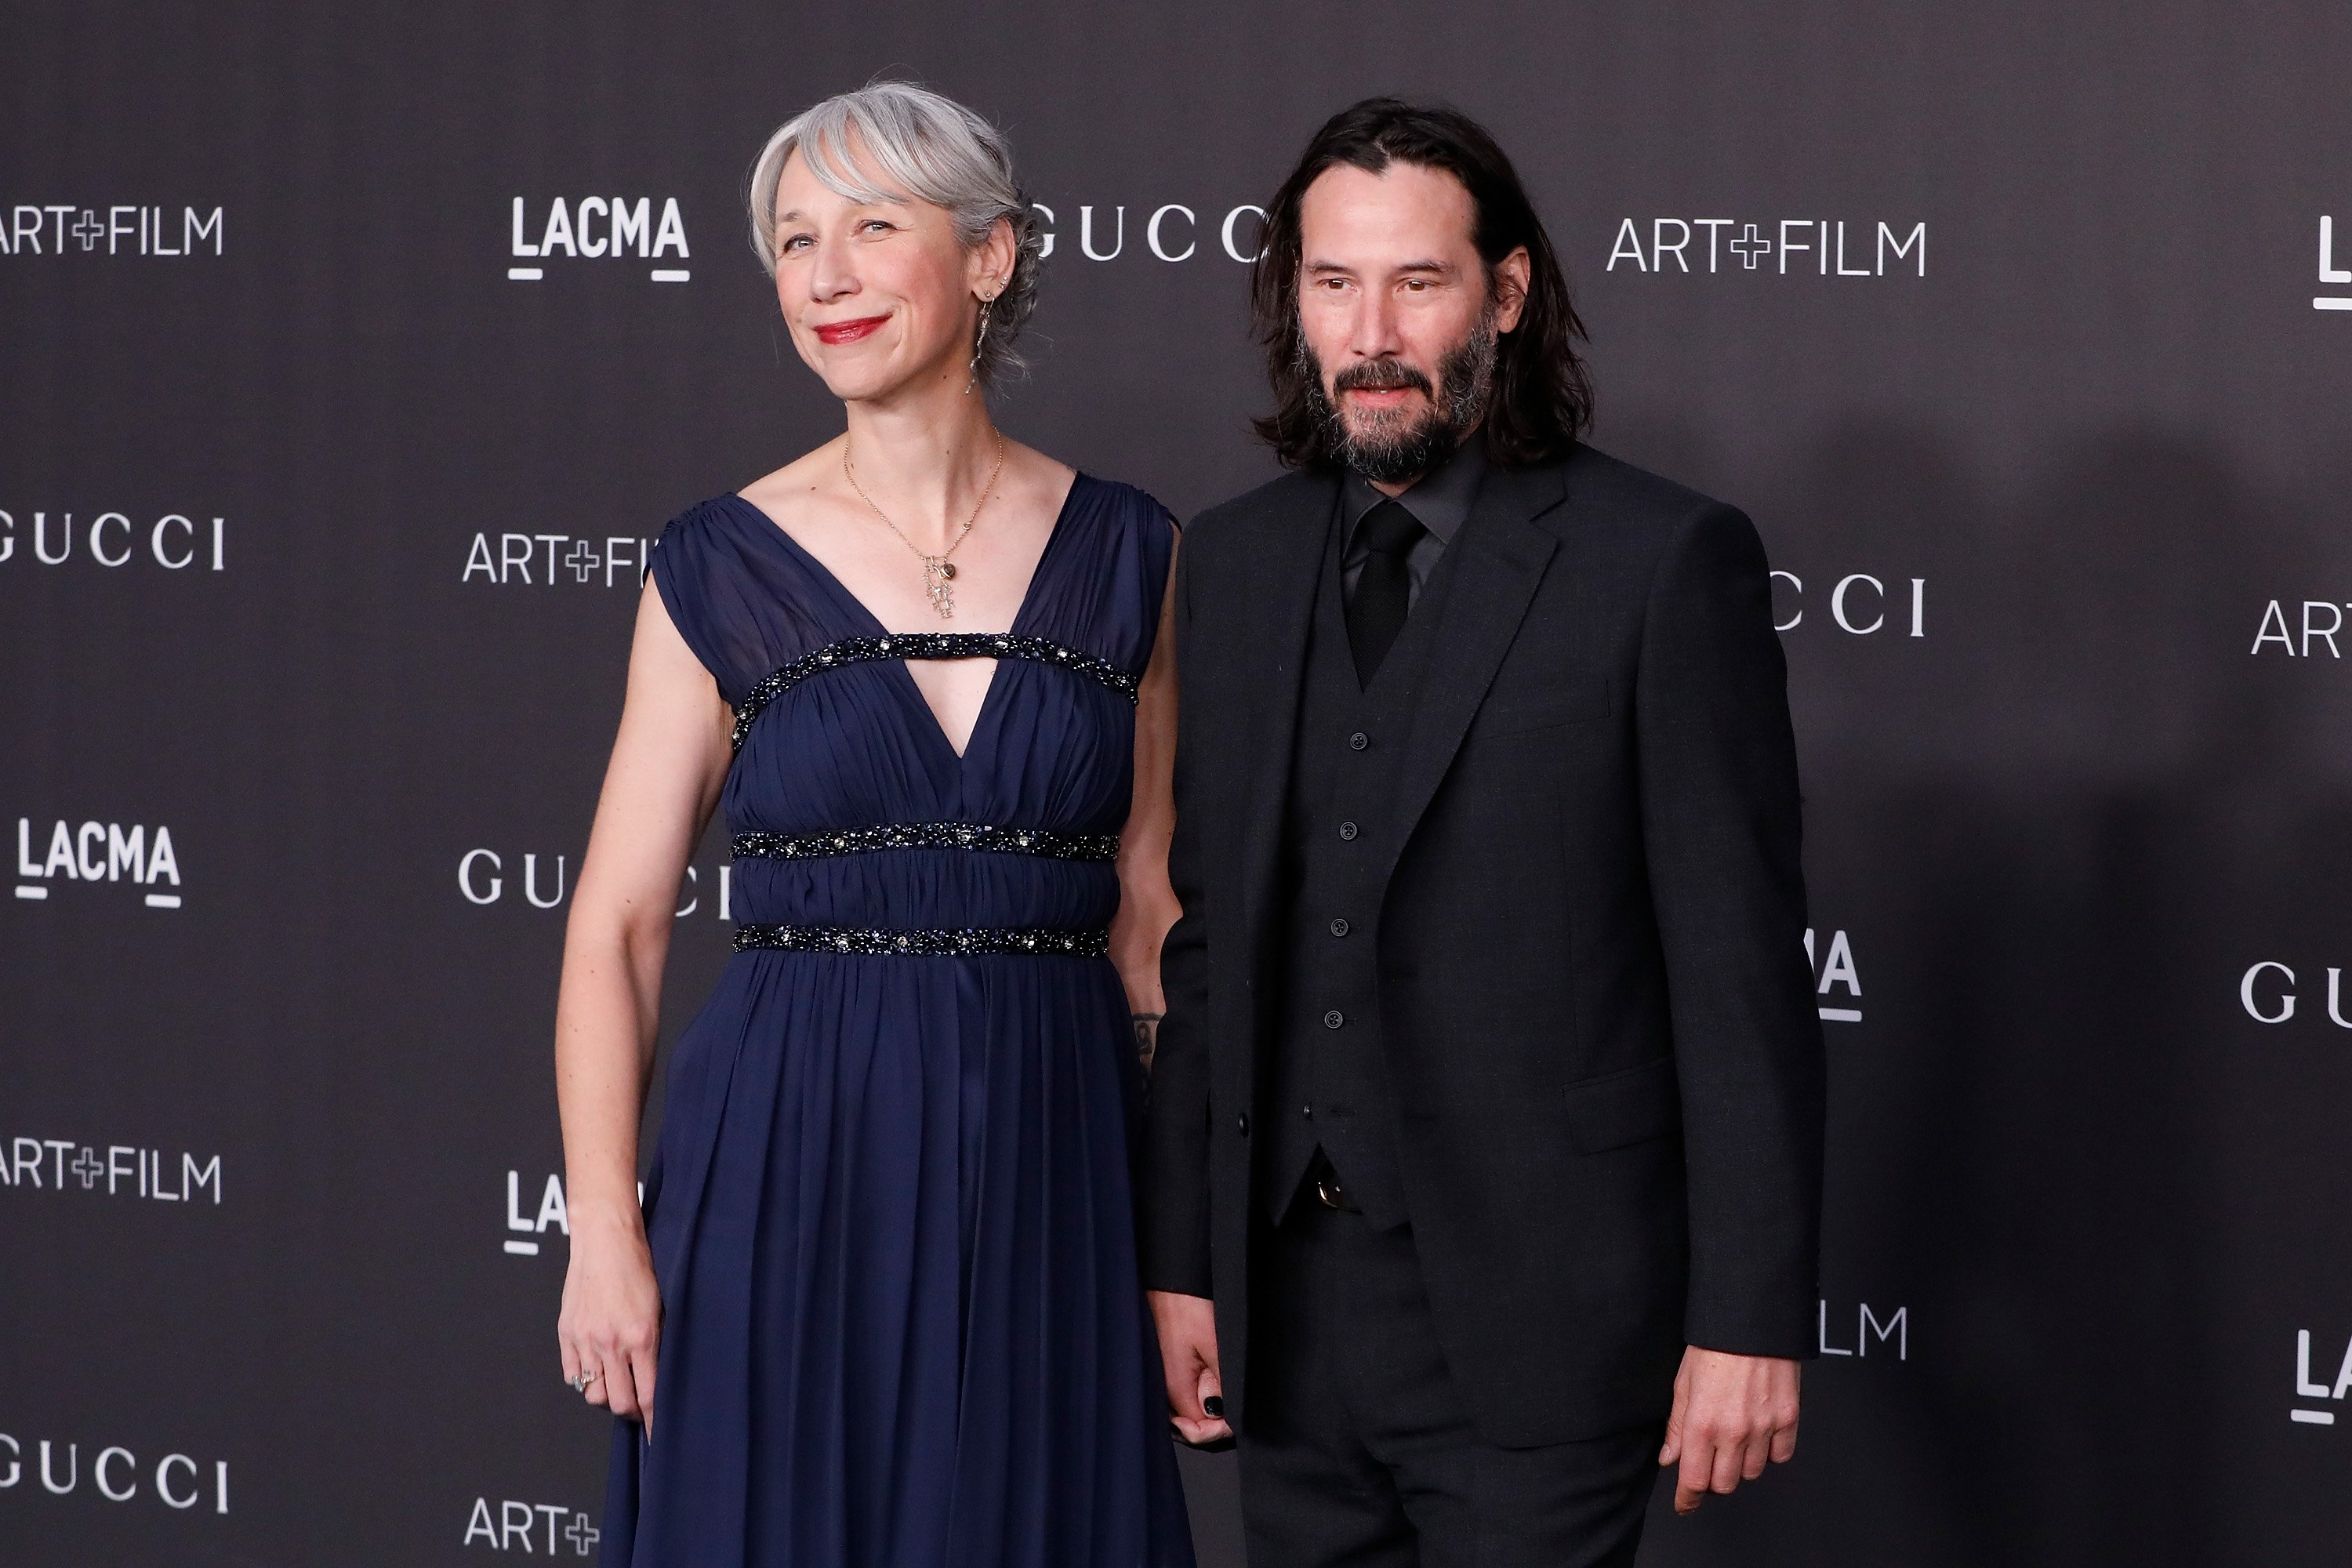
354	356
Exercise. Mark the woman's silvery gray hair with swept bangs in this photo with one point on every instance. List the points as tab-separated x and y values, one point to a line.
923	147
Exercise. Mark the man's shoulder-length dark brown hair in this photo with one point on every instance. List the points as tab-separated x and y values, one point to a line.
1542	394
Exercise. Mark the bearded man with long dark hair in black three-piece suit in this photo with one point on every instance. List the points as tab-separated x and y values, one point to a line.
1483	1165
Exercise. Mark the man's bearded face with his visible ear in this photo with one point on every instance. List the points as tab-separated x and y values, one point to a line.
1398	316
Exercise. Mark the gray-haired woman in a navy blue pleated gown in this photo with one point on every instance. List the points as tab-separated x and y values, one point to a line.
878	1301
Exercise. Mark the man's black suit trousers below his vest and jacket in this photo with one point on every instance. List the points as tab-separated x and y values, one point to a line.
1358	1452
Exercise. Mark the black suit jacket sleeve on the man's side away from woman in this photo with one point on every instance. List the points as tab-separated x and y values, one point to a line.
1720	826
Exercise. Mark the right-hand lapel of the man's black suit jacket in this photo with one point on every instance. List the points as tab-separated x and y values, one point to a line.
1504	558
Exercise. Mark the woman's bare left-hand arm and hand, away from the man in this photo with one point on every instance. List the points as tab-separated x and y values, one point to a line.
660	791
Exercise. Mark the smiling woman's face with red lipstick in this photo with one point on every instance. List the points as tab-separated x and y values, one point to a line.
878	295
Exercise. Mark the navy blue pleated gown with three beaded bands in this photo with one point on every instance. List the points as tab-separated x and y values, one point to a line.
890	1202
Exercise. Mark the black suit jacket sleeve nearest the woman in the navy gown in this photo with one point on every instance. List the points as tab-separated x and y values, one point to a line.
1175	1170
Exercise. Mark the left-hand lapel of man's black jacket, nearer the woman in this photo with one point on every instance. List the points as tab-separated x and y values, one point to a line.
1292	563
